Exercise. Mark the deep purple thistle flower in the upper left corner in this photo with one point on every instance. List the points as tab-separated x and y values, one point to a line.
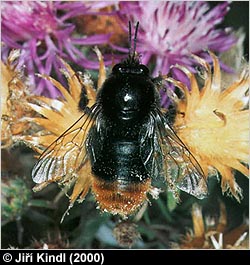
42	31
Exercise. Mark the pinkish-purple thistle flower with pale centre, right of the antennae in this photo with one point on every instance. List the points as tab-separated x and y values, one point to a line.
170	31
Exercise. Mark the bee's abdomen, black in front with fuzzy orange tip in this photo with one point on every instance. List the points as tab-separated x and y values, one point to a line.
120	180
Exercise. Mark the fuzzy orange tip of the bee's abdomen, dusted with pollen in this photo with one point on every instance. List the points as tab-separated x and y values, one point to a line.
120	197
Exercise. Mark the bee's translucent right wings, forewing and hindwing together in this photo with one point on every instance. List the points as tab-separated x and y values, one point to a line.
169	157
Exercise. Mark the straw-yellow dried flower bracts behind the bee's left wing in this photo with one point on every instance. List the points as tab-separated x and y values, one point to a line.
59	115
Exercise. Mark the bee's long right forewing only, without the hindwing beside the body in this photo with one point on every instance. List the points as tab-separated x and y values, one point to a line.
181	168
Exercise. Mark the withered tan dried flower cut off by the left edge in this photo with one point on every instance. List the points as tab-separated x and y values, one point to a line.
15	91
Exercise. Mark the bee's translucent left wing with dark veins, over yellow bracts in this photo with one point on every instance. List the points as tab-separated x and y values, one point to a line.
66	154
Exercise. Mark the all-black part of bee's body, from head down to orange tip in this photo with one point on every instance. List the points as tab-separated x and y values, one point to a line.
126	98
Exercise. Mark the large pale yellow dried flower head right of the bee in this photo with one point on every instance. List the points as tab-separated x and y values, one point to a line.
214	123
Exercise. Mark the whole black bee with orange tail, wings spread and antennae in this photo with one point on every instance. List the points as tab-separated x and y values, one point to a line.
122	144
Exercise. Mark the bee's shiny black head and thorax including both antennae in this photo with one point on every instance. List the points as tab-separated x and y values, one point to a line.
129	93
